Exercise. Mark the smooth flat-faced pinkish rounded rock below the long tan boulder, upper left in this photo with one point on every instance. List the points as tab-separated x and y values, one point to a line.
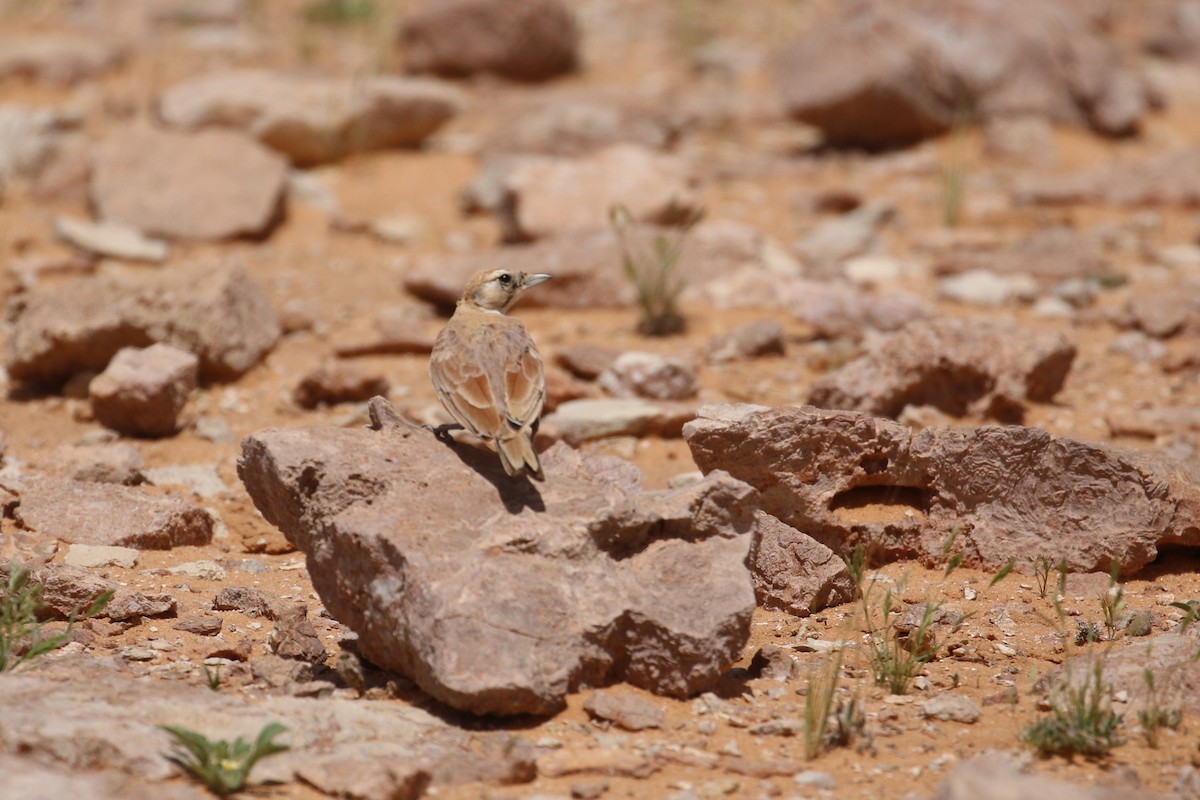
201	187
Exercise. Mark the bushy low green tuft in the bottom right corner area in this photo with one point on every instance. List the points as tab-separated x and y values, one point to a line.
1082	719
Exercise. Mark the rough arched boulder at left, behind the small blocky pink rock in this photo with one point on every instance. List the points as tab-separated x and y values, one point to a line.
217	312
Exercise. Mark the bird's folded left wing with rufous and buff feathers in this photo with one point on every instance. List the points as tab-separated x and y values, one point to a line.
464	387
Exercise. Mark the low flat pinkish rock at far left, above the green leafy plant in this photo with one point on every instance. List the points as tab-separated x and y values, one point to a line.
106	514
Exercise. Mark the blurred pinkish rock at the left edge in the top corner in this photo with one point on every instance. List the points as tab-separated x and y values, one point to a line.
57	58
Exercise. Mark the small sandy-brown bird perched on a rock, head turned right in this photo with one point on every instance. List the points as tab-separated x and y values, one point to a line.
488	372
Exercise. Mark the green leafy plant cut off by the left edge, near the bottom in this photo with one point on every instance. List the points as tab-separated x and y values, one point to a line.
22	639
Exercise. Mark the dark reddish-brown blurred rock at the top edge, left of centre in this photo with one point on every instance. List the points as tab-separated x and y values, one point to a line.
523	40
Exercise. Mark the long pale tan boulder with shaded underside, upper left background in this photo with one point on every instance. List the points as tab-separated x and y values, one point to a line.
314	121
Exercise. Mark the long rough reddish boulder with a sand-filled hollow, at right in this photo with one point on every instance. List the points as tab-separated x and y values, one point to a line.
1012	492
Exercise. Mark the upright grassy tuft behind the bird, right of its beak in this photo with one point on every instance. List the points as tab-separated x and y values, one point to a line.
655	273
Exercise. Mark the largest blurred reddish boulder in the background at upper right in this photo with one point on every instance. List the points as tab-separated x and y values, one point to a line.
994	58
